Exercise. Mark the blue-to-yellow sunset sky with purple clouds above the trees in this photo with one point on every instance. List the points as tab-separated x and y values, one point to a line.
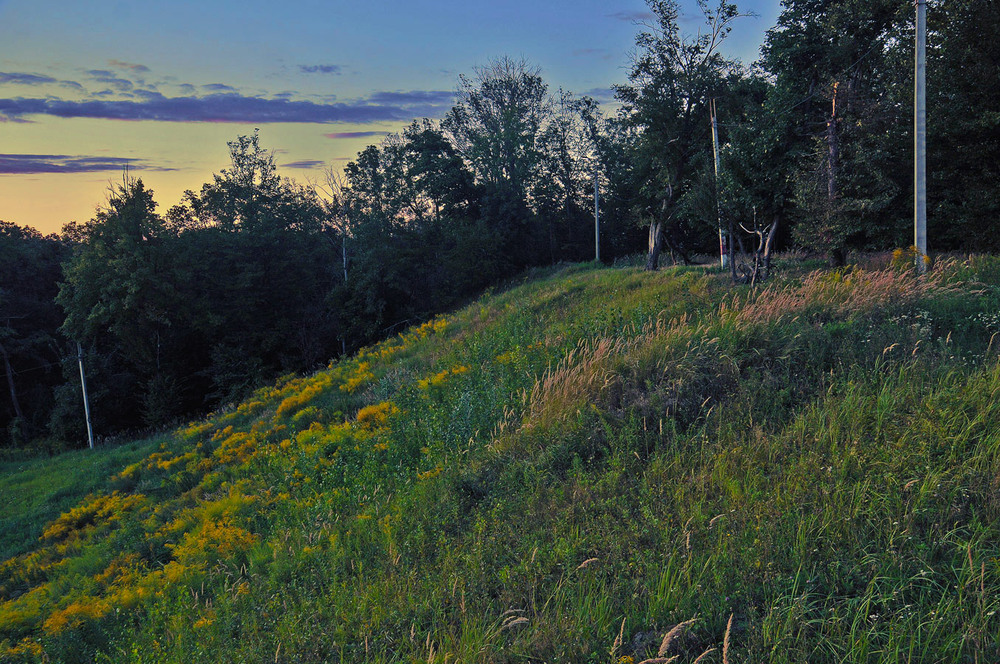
90	86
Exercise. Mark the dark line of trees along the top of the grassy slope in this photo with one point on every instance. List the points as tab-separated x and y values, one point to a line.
255	275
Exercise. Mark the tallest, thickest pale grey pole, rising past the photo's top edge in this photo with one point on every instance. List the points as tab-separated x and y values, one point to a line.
920	140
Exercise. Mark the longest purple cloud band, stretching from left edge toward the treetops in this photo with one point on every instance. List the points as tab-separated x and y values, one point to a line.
234	107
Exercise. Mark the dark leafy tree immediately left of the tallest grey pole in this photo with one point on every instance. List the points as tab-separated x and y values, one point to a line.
835	63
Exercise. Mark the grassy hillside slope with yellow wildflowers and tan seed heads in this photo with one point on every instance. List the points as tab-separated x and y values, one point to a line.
597	465
